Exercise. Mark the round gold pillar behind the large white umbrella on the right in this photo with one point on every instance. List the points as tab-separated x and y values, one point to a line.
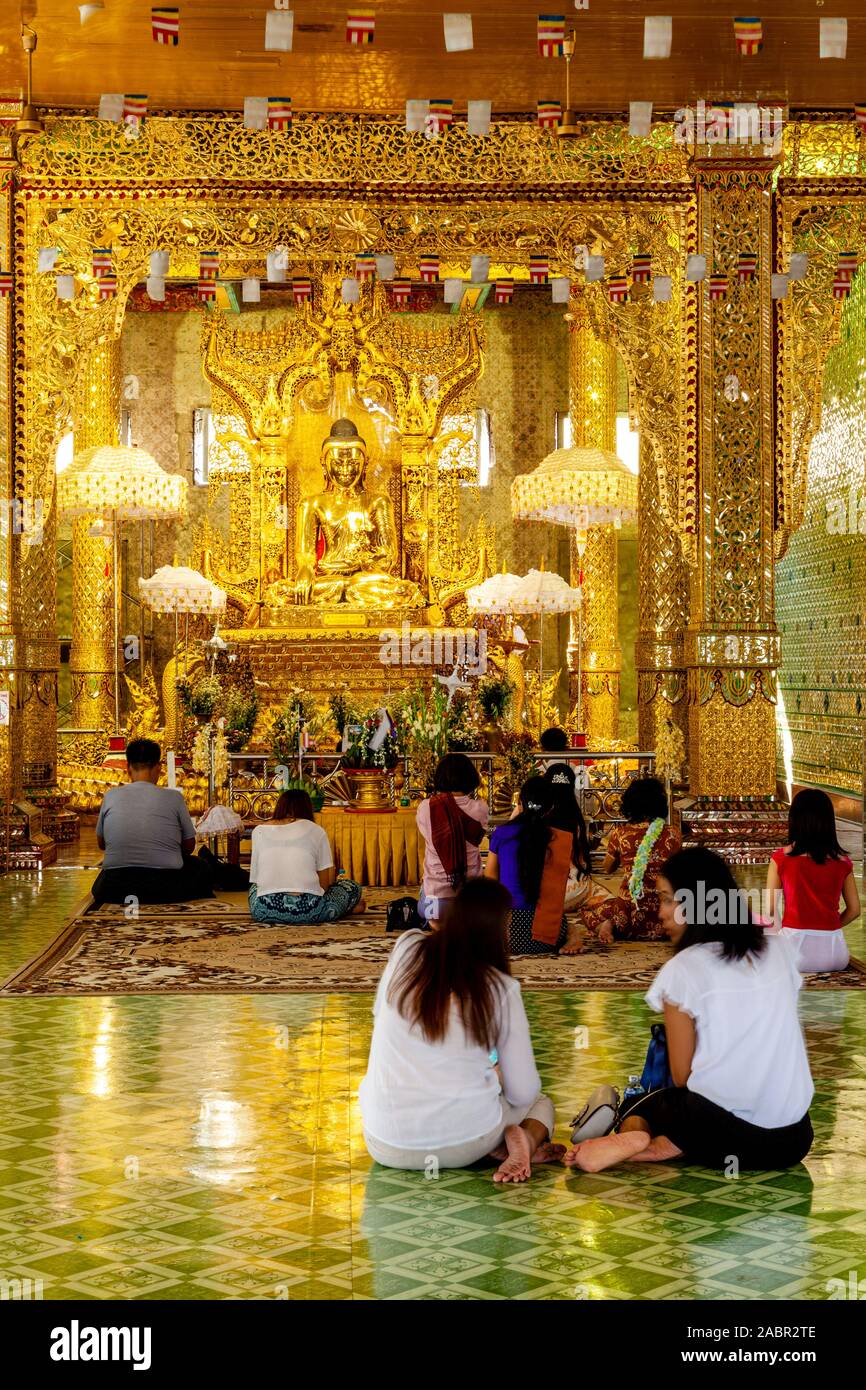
593	409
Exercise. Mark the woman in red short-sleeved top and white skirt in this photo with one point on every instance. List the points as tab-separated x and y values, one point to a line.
814	872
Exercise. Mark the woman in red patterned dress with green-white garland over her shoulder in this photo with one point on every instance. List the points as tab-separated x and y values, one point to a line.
639	849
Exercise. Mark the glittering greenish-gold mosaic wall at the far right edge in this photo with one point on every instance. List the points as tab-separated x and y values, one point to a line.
822	582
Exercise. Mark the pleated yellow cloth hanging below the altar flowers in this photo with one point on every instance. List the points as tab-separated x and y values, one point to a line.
376	850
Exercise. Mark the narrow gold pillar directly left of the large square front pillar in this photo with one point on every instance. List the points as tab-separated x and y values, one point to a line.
662	611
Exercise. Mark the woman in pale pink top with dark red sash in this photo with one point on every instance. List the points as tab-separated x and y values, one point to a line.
454	824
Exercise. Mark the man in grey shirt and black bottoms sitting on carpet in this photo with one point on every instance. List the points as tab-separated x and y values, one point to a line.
148	837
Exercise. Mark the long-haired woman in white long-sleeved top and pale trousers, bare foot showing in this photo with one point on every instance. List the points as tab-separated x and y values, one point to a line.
451	1077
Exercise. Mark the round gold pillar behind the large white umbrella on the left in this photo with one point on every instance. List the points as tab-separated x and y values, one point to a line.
95	422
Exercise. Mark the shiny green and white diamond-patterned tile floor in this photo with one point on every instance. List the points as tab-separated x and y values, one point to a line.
209	1149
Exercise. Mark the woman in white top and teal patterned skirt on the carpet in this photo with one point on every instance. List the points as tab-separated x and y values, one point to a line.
293	878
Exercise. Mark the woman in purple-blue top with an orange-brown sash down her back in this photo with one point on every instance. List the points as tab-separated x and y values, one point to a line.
533	856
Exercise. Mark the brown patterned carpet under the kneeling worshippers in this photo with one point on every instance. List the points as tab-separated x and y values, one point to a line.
212	947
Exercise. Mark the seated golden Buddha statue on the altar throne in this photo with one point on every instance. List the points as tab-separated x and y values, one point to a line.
347	547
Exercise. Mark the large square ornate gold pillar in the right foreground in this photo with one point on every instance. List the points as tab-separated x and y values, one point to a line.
732	646
